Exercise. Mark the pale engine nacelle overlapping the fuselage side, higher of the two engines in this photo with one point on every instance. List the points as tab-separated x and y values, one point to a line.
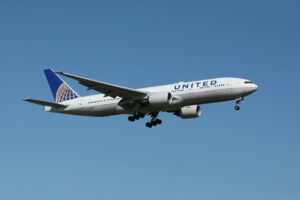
160	99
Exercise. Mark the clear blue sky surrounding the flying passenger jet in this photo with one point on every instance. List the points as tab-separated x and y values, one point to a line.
251	154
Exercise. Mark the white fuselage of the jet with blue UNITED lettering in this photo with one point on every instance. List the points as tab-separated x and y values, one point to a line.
184	94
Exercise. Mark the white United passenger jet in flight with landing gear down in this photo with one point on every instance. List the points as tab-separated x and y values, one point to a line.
183	99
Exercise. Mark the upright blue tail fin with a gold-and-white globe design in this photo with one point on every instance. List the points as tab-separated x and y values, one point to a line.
60	89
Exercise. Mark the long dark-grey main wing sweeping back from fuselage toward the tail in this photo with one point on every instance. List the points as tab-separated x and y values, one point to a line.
106	88
